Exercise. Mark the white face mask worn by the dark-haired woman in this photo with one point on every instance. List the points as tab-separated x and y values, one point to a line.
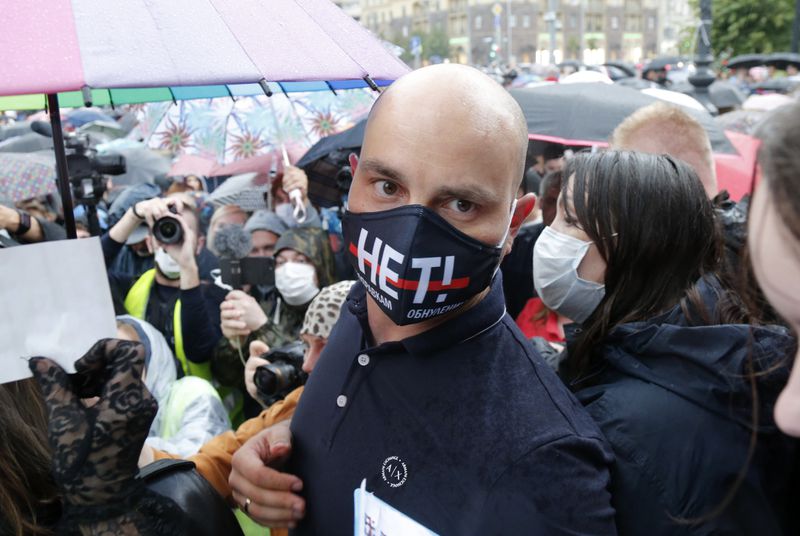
556	257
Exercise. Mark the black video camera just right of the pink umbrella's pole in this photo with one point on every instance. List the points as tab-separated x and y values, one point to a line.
86	170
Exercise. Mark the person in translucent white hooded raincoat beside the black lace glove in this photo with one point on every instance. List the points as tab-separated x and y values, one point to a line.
190	411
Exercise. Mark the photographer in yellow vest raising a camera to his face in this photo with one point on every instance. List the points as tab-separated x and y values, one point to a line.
169	296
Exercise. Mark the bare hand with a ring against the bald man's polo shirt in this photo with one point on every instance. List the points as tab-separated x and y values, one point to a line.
264	493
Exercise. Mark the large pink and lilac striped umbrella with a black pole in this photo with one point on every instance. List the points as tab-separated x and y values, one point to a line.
53	46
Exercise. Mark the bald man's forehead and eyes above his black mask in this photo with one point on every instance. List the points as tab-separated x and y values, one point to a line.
428	159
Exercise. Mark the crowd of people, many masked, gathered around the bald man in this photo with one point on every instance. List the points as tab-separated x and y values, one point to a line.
577	342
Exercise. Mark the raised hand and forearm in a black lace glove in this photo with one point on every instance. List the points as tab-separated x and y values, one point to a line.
96	447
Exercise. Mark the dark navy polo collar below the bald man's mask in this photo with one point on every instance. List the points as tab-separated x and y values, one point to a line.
469	324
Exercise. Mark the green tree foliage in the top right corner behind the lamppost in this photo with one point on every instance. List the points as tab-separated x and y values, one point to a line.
750	26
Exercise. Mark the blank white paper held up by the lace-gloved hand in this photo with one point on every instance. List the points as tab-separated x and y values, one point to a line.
54	302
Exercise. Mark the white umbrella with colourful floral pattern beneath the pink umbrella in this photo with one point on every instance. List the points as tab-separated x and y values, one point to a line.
227	130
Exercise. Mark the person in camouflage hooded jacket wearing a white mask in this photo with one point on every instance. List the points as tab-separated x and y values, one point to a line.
303	265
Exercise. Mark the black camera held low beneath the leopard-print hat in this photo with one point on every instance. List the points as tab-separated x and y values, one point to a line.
283	374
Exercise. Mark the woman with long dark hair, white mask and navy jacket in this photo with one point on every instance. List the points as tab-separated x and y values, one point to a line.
663	355
